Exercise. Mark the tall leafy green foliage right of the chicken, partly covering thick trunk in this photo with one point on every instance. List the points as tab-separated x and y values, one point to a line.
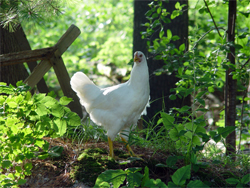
199	74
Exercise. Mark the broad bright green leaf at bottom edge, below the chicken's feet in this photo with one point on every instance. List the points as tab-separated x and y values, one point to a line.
116	177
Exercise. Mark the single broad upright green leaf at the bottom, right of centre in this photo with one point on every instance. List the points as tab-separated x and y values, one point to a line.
181	175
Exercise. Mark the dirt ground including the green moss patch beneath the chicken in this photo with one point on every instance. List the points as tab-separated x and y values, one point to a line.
69	170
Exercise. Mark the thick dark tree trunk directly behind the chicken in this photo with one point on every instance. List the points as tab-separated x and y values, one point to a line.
160	85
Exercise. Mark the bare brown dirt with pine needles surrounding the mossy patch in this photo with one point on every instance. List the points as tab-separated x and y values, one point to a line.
56	172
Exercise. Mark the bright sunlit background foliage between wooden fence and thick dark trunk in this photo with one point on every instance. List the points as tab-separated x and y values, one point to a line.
106	36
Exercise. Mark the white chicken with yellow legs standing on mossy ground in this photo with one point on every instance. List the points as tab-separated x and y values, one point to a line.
118	107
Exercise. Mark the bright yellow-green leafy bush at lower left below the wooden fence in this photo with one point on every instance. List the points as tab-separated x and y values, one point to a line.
24	121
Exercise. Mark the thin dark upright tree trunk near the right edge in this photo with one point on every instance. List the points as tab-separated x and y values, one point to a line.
231	84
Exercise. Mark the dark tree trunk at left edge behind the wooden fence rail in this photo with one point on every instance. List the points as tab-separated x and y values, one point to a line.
8	44
